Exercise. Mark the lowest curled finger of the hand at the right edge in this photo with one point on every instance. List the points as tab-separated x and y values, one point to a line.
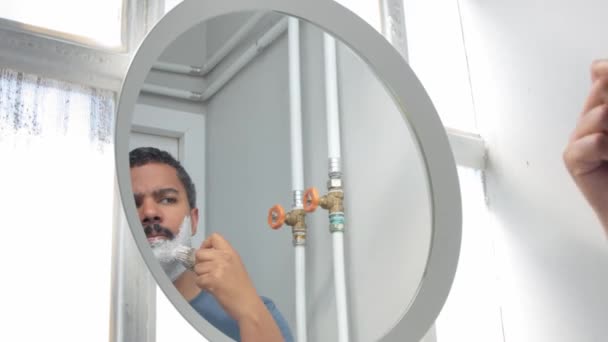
587	153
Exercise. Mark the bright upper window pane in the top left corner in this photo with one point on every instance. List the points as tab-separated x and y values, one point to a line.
96	20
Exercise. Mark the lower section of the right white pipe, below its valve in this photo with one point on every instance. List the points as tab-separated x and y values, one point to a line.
340	285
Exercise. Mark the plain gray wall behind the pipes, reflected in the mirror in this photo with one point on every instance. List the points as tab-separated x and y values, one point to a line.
248	171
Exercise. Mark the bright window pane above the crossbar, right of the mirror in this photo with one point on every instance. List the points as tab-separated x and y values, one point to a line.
438	57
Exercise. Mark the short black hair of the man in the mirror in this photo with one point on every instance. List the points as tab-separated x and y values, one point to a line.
146	155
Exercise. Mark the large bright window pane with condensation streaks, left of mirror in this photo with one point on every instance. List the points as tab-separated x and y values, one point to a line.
56	176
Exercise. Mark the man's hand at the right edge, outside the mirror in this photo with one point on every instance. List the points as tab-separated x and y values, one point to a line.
586	155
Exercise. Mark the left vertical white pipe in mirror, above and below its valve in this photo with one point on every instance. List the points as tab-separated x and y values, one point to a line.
297	170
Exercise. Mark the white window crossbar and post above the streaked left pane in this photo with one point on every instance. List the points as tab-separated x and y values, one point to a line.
75	59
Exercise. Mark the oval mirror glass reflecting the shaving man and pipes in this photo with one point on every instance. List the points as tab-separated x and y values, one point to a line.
278	184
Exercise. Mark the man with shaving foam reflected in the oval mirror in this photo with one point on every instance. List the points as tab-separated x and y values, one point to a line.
219	287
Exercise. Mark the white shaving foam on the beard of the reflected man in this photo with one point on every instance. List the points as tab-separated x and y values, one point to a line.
164	250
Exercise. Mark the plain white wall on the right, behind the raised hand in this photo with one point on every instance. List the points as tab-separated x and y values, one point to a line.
529	62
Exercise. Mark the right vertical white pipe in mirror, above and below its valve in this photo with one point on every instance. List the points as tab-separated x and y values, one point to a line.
333	139
